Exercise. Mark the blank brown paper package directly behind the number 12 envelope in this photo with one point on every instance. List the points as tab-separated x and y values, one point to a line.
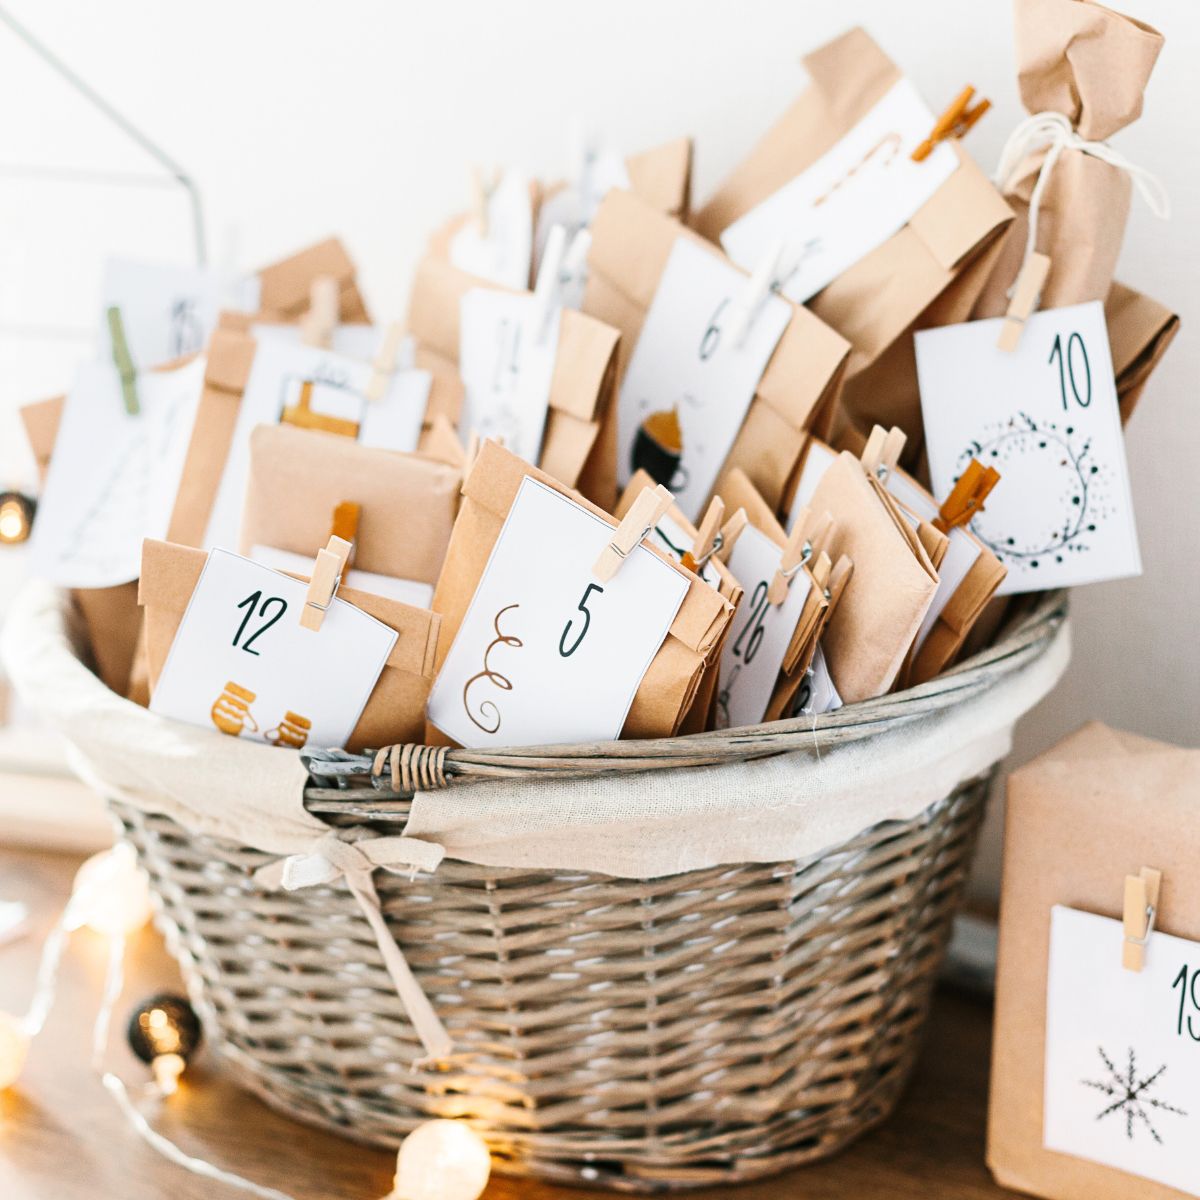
298	477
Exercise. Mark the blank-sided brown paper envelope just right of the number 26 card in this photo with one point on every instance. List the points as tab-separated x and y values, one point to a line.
892	587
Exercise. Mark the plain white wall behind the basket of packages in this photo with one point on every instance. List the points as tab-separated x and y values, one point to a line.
362	118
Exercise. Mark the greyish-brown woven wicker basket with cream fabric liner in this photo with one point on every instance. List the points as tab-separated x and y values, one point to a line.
699	1029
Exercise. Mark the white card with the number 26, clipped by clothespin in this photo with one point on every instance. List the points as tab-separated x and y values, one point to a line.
754	651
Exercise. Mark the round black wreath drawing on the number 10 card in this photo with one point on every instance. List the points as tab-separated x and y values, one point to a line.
1049	463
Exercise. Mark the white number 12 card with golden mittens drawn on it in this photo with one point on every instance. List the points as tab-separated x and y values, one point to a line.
243	664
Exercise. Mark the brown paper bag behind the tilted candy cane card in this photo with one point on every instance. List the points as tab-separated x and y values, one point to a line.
881	297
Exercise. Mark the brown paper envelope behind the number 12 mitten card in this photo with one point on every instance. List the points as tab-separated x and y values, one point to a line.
395	711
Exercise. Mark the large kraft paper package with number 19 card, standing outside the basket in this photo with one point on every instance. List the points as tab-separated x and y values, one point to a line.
1083	817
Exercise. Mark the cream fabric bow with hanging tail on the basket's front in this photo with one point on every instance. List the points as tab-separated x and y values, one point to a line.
331	860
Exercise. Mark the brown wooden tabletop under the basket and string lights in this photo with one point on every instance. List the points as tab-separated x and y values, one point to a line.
62	1138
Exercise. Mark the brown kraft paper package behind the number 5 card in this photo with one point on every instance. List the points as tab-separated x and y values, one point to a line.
670	685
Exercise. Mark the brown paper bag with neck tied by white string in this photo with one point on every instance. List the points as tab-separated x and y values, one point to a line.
1090	64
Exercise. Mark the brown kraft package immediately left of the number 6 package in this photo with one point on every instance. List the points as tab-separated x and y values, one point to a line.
583	387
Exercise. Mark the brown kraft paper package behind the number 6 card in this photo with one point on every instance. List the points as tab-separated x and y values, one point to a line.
796	394
